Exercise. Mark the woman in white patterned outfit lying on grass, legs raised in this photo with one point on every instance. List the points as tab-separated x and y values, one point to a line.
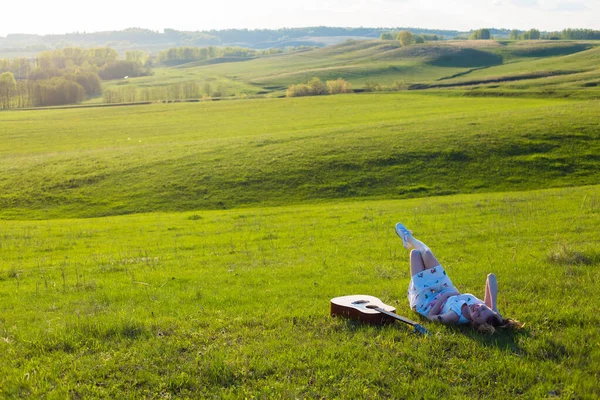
432	294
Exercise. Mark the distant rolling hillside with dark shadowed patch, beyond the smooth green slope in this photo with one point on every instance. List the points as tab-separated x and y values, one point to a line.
534	66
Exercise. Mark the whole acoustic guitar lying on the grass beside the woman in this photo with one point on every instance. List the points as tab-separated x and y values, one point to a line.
371	310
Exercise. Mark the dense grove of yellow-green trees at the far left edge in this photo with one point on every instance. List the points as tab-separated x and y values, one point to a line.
65	76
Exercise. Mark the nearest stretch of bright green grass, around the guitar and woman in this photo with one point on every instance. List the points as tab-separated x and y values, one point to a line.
234	304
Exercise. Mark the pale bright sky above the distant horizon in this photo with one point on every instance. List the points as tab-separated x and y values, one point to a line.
67	16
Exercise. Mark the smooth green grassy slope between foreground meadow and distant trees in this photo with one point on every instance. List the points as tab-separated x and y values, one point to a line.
177	157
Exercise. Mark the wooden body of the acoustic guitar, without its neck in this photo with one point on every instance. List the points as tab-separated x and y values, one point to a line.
359	307
